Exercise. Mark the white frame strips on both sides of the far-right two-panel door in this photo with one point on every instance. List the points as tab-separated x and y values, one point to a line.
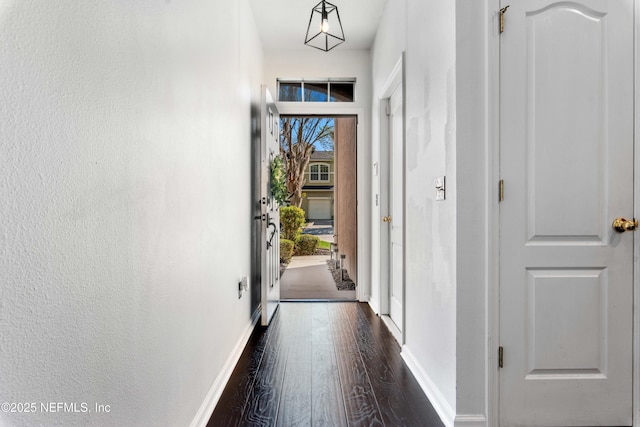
493	229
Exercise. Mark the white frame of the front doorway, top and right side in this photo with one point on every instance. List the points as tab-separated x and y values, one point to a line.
330	109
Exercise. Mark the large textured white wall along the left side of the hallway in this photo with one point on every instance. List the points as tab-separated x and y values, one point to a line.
122	125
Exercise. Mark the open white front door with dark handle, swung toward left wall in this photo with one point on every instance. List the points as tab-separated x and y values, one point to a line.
270	211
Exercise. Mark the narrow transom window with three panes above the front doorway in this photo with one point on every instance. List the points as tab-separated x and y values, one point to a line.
342	90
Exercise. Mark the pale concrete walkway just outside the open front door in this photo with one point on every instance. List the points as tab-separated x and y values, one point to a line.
308	277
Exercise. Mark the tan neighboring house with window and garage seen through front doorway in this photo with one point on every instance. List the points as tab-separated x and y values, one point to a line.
317	200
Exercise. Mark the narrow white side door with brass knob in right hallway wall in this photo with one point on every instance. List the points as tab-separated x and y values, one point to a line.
396	203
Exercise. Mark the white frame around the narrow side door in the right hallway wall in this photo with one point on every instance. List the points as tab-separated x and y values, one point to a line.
396	80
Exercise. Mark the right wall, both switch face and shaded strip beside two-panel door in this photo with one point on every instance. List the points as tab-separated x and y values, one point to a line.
445	245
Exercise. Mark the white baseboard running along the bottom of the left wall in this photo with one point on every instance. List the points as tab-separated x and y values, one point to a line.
206	409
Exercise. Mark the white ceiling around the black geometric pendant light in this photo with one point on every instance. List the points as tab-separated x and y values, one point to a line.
282	24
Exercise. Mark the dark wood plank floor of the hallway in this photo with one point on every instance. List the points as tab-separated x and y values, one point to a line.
324	364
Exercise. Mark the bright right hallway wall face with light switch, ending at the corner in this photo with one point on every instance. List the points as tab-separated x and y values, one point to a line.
430	242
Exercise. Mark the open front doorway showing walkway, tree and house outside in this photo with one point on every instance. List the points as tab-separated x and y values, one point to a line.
327	193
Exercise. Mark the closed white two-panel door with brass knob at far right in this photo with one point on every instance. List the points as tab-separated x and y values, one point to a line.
566	160
